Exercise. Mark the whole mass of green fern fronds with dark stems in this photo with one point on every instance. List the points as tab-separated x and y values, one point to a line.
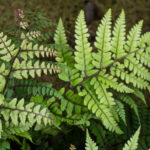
98	81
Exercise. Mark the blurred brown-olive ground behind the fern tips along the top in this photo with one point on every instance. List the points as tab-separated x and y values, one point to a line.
69	9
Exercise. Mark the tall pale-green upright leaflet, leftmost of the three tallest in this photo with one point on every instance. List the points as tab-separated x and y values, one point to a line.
83	56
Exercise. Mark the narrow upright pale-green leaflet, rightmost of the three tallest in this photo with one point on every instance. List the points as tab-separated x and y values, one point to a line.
118	40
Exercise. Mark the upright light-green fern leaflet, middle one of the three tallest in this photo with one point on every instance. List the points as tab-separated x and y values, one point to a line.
103	44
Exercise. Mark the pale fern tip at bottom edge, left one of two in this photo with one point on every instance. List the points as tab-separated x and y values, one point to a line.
90	144
